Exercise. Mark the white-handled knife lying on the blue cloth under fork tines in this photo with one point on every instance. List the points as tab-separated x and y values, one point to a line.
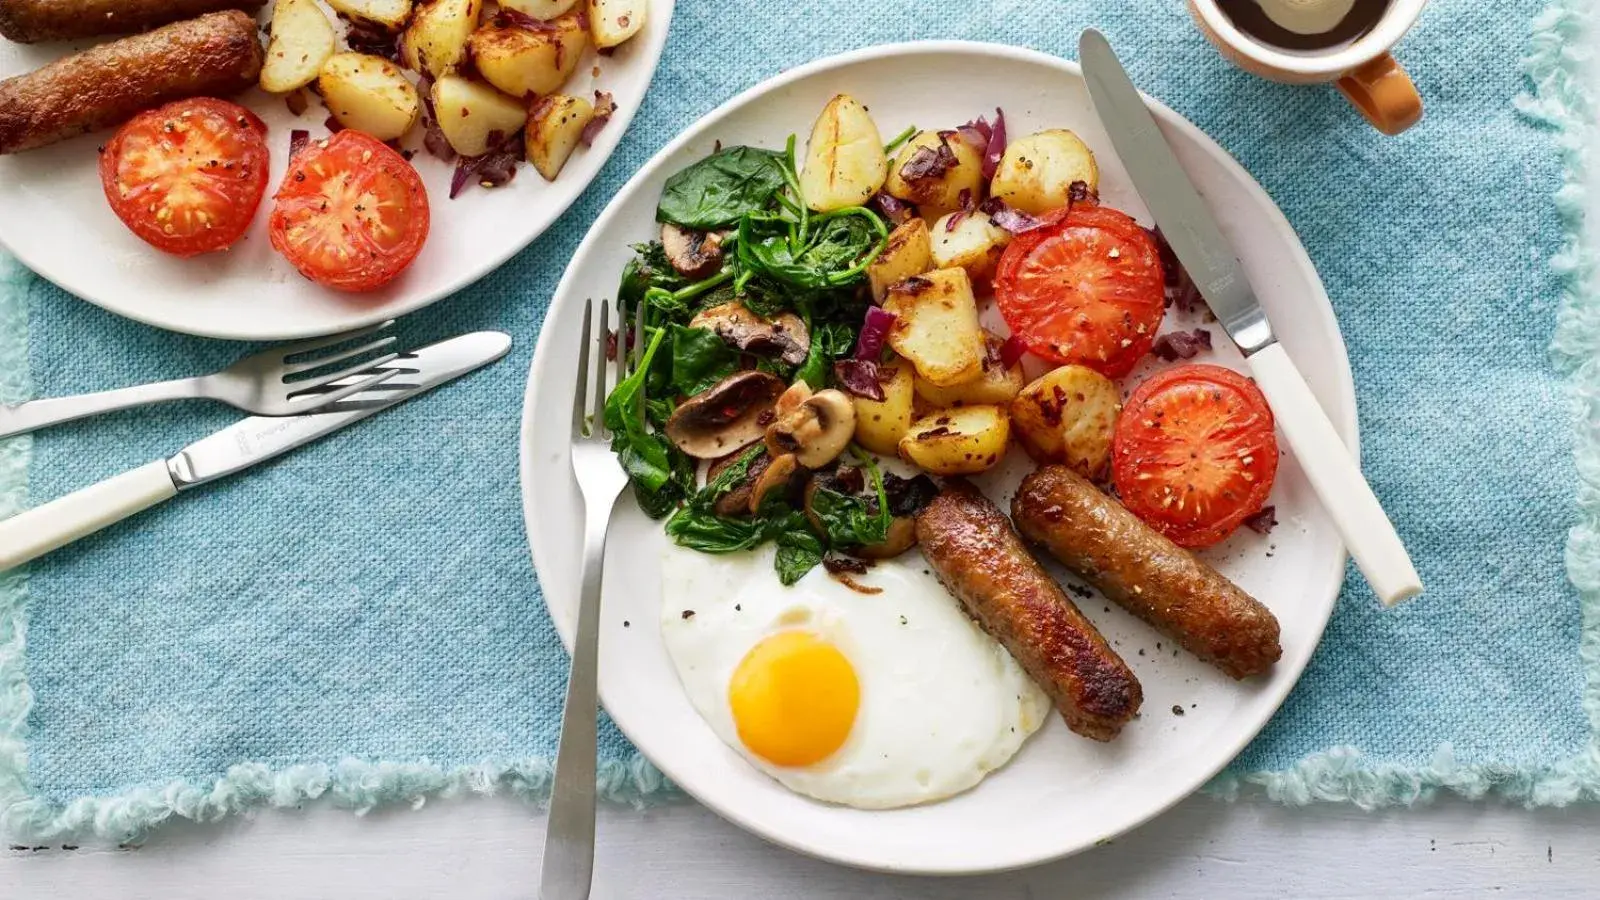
234	449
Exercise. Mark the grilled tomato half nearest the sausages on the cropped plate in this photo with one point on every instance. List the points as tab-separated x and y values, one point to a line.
188	177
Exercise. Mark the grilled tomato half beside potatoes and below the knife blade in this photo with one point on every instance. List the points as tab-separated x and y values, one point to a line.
1087	289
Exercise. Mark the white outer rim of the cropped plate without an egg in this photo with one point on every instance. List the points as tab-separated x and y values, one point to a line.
471	275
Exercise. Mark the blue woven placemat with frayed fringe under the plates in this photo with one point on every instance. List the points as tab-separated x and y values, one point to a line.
361	621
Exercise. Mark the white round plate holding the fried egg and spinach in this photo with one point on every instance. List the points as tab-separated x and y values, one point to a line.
1062	794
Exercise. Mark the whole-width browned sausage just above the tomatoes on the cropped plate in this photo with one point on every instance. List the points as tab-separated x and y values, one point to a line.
215	55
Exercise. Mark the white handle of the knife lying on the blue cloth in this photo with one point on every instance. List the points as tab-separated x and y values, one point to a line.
60	523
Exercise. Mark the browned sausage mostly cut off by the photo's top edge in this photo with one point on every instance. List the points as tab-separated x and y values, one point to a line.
31	22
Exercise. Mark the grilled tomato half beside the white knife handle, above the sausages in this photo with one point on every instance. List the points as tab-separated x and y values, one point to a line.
1194	454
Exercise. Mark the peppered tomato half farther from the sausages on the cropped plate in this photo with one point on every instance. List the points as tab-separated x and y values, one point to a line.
351	214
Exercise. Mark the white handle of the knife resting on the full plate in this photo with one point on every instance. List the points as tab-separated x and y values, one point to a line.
1337	480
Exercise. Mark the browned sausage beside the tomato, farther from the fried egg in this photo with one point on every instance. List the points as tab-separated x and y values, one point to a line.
1150	576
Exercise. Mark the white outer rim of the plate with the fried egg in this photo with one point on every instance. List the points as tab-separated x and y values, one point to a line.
1319	305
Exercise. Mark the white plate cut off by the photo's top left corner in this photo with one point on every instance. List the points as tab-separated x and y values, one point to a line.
57	220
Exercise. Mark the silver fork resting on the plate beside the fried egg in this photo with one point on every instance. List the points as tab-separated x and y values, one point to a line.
570	835
